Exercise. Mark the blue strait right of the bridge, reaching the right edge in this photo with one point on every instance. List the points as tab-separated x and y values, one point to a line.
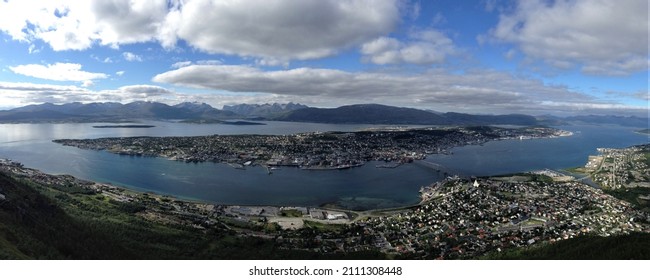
512	156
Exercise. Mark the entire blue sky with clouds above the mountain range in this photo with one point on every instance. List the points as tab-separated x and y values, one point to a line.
563	57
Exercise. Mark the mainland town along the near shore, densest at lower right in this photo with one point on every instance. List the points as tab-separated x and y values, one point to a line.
457	218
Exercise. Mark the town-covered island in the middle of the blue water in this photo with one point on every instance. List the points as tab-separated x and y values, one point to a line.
315	151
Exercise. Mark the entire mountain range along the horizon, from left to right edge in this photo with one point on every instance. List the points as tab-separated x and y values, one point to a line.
291	112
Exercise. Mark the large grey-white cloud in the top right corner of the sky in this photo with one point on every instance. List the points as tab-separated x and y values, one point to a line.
605	37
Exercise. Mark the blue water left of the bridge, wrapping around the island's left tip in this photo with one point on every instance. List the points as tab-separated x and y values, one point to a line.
365	187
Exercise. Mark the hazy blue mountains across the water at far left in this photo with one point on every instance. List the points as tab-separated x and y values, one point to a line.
113	112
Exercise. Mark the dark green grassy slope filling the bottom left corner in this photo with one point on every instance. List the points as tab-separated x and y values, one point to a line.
47	222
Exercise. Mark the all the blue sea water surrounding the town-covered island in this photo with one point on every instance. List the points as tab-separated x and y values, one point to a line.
360	188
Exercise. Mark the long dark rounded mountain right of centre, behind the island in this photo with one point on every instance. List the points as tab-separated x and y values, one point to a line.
382	114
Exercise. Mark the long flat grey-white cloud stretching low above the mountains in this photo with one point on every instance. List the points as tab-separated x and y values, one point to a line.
474	91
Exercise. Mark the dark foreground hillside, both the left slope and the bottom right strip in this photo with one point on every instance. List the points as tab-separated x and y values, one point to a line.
59	221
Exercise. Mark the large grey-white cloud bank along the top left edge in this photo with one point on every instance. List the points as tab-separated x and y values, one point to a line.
279	30
